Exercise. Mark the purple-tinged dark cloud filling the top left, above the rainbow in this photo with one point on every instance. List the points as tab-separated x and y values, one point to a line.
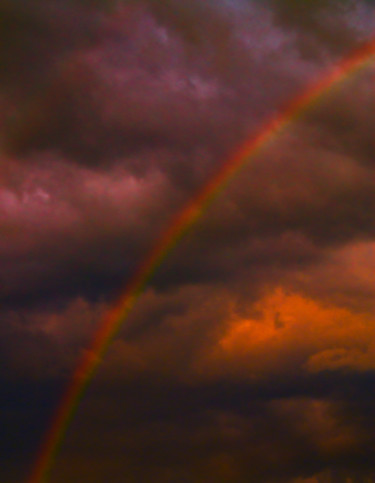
124	82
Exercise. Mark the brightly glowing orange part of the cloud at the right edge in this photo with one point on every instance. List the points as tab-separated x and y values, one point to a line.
290	332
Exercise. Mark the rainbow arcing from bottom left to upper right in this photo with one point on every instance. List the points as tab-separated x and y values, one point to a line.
179	225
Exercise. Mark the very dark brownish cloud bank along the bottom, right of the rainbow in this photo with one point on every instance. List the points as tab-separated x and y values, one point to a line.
214	433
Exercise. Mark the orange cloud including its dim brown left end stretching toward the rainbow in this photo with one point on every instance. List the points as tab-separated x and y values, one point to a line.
285	334
